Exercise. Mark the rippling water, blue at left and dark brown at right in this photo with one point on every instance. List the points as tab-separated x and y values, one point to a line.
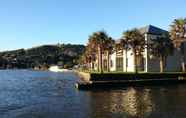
37	94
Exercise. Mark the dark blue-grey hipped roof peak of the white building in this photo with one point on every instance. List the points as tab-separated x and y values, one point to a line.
149	29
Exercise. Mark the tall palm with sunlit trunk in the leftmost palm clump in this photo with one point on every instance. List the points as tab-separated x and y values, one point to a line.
97	42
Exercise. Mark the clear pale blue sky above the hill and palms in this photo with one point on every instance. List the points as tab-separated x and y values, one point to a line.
30	23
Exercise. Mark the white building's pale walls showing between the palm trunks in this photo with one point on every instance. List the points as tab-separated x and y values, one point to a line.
152	64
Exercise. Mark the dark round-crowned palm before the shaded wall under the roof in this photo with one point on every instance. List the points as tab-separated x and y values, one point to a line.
161	48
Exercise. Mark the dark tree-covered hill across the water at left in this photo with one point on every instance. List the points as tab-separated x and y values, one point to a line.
66	55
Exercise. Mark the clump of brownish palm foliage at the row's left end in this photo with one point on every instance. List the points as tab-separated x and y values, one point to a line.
99	43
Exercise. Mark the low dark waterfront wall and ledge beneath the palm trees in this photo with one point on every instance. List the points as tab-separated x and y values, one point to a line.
114	80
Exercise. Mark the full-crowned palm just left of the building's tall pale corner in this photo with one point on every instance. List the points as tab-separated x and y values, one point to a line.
136	42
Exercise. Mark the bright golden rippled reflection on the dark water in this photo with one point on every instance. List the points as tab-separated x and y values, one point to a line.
138	104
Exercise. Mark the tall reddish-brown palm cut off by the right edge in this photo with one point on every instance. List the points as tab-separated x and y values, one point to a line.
178	35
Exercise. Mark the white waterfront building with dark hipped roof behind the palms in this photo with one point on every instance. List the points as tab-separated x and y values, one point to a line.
123	60
